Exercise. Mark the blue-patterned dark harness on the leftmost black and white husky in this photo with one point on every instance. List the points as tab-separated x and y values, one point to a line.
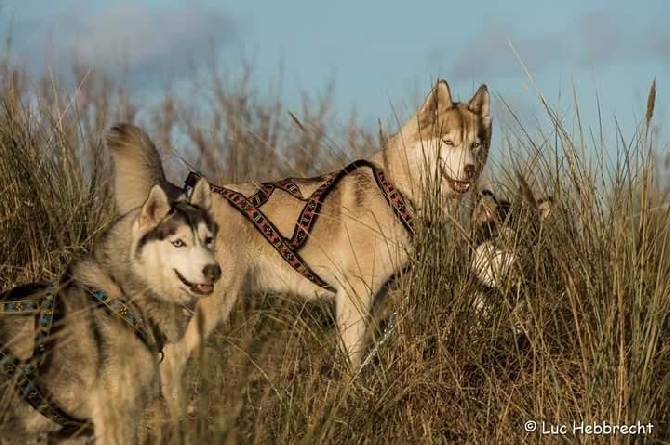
47	309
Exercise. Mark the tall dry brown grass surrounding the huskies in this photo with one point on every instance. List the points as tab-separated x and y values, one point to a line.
596	329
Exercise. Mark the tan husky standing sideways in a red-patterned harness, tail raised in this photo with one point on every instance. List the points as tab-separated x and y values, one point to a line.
271	239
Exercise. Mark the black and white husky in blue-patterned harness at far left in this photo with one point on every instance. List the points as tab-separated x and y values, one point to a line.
79	358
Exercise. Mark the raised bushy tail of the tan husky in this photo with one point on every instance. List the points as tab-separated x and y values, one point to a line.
137	166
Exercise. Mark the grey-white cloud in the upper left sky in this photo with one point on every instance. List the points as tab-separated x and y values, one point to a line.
143	41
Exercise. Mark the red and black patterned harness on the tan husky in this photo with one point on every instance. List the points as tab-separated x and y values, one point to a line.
289	249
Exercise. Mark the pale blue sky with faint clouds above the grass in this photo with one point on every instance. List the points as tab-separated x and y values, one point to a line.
382	56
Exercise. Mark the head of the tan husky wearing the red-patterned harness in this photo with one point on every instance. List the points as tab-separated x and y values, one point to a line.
449	140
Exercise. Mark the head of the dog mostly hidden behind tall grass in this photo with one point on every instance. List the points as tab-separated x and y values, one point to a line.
505	234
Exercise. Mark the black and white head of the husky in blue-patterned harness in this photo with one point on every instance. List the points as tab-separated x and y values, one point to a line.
173	244
